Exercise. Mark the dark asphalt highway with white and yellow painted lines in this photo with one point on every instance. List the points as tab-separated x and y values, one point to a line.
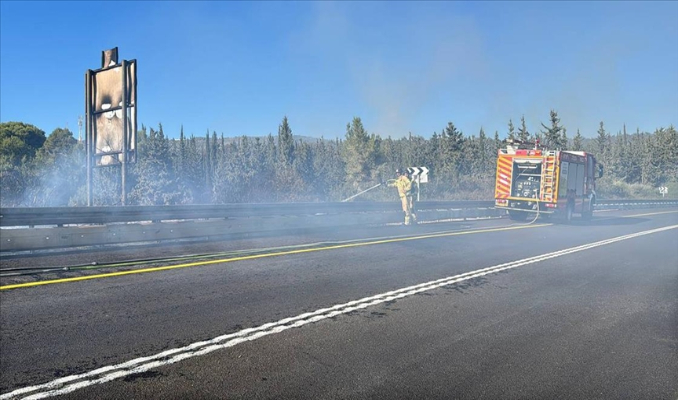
482	309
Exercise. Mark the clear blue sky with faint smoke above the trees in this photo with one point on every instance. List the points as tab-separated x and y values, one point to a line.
238	67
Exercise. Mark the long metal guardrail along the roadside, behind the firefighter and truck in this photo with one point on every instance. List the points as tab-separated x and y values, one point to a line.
29	229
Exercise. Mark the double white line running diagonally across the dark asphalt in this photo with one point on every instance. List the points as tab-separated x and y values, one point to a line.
105	374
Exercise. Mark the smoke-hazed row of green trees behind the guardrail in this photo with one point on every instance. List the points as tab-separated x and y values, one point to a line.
50	170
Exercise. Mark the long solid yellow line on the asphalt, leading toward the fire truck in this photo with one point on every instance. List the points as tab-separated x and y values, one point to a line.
257	256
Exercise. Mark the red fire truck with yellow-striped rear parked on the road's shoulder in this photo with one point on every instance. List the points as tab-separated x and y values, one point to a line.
533	180
